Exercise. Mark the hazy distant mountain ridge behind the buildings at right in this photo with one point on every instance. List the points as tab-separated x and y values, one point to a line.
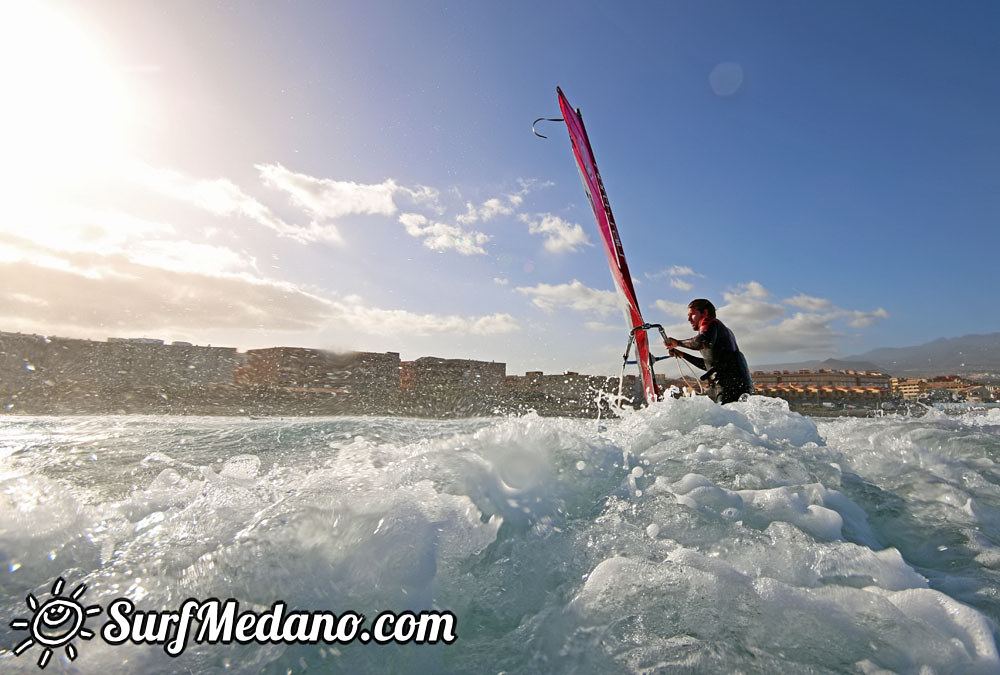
967	355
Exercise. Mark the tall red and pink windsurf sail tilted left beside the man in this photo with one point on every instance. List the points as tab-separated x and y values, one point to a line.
594	187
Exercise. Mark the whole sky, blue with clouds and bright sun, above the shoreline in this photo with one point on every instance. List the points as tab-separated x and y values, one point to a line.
362	175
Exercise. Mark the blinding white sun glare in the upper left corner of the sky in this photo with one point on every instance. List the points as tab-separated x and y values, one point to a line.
66	110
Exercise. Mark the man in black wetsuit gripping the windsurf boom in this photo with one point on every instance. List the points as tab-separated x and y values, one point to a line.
727	372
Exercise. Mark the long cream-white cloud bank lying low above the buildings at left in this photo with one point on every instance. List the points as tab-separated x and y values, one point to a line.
159	288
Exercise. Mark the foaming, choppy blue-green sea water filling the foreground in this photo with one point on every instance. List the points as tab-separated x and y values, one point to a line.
686	537
